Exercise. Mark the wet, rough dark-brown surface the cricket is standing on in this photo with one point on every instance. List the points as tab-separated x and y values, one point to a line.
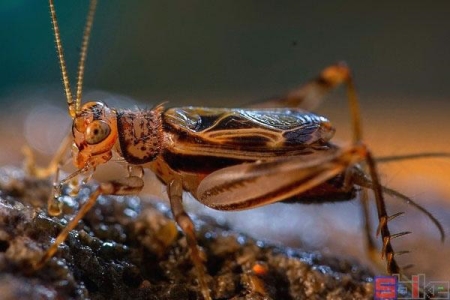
128	248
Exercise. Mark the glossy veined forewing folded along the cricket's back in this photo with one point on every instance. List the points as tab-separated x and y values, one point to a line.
259	128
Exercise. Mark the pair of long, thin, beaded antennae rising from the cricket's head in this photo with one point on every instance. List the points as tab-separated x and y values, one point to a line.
74	107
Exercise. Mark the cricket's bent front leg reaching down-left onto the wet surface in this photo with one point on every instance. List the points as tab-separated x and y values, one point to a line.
125	186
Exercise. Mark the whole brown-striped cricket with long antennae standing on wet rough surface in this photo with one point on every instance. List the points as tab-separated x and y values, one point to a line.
228	159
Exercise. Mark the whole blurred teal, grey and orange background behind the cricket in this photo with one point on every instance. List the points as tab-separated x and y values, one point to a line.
225	53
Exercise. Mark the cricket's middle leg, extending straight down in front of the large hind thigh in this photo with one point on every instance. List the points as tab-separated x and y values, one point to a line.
175	191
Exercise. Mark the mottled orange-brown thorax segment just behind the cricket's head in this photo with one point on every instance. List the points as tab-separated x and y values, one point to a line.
140	134
